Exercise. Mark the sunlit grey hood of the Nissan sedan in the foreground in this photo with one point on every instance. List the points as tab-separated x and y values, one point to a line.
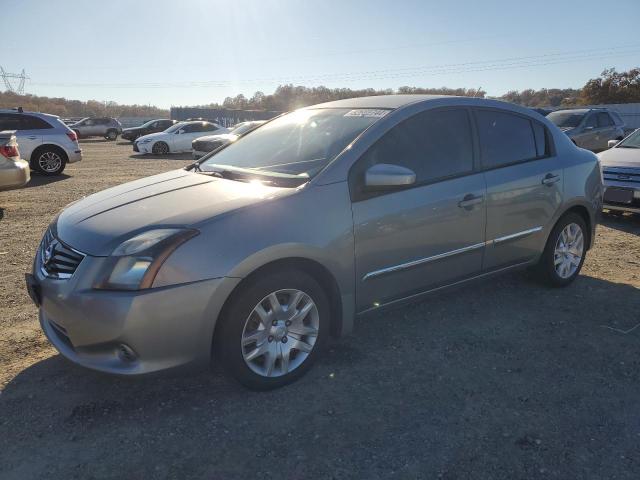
100	222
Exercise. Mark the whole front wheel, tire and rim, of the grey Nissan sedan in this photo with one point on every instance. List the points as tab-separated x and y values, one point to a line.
252	346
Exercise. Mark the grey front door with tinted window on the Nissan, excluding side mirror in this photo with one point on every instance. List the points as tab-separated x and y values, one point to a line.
428	234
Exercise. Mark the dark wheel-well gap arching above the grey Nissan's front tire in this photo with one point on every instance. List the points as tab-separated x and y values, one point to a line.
311	267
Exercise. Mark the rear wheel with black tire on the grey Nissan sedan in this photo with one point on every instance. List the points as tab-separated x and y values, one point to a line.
557	266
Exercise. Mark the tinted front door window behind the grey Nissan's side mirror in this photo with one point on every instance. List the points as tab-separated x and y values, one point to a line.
434	144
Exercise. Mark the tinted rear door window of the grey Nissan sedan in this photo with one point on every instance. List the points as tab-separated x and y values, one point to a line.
505	138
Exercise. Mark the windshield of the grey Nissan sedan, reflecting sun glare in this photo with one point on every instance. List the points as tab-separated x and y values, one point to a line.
299	143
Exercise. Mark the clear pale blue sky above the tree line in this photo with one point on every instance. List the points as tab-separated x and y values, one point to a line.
193	52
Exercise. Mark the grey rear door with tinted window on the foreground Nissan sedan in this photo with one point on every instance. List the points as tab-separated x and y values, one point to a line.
524	185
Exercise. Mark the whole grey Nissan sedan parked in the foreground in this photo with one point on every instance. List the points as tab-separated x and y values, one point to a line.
321	214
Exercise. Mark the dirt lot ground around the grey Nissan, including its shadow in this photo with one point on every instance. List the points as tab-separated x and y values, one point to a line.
503	379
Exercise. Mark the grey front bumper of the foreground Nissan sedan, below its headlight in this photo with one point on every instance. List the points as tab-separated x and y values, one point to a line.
125	332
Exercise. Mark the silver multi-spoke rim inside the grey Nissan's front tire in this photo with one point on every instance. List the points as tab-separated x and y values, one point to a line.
280	333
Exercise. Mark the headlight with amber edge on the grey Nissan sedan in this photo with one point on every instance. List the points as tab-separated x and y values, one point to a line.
134	264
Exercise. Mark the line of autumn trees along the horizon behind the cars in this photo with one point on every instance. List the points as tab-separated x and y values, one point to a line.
610	87
